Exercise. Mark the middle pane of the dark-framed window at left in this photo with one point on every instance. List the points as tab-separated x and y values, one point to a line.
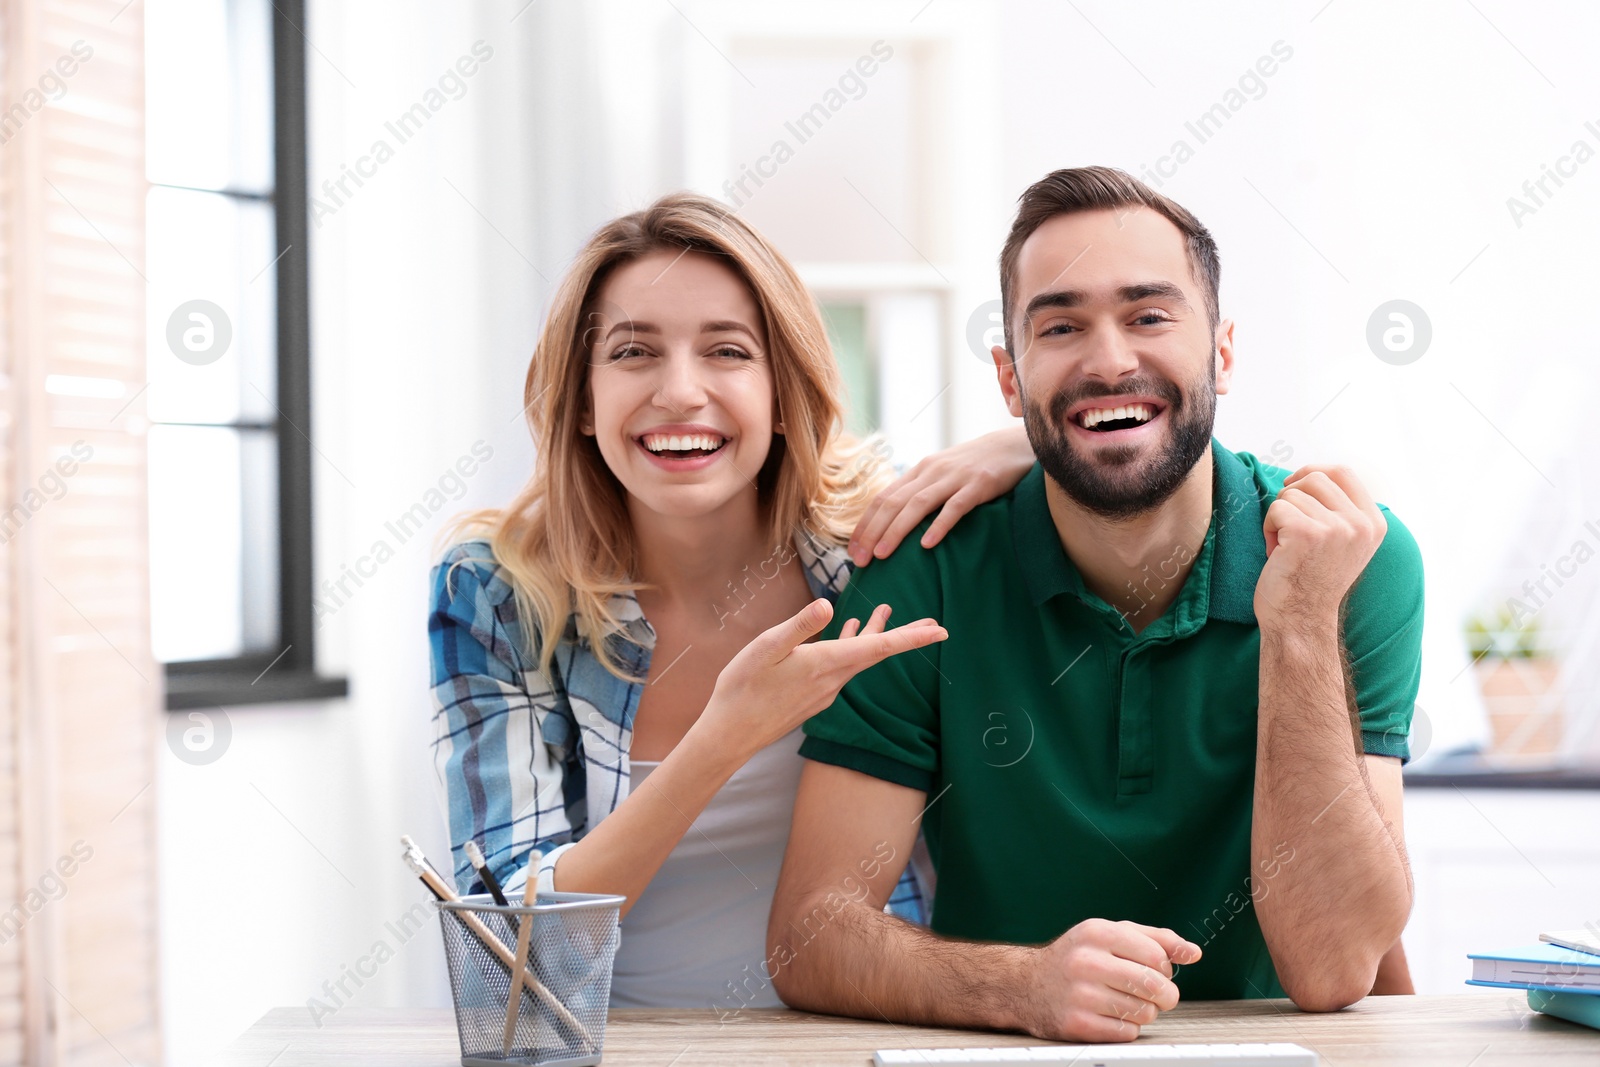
207	247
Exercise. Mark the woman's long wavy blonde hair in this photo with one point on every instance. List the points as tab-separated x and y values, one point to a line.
566	540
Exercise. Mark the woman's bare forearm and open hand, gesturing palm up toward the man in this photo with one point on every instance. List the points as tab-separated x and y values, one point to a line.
774	685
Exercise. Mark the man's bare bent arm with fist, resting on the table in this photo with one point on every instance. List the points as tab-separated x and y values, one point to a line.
1100	981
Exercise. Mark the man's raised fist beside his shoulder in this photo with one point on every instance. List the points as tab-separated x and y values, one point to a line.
1322	532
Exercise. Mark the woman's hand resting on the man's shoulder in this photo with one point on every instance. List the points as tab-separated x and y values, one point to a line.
959	479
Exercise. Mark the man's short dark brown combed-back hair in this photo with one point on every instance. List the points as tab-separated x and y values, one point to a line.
1095	190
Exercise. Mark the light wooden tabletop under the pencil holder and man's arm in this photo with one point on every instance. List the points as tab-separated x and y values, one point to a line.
1460	1031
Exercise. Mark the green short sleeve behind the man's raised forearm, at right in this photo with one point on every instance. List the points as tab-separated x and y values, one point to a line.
1383	637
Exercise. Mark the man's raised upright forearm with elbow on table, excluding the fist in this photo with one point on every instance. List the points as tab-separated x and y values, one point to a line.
1332	913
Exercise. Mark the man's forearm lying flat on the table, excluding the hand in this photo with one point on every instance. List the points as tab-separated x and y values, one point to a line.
857	961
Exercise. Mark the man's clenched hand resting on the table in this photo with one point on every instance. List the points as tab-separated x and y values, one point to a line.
1102	981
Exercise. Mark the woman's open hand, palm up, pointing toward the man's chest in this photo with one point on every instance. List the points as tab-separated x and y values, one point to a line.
778	681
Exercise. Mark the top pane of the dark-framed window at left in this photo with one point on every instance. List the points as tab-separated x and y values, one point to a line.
209	94
